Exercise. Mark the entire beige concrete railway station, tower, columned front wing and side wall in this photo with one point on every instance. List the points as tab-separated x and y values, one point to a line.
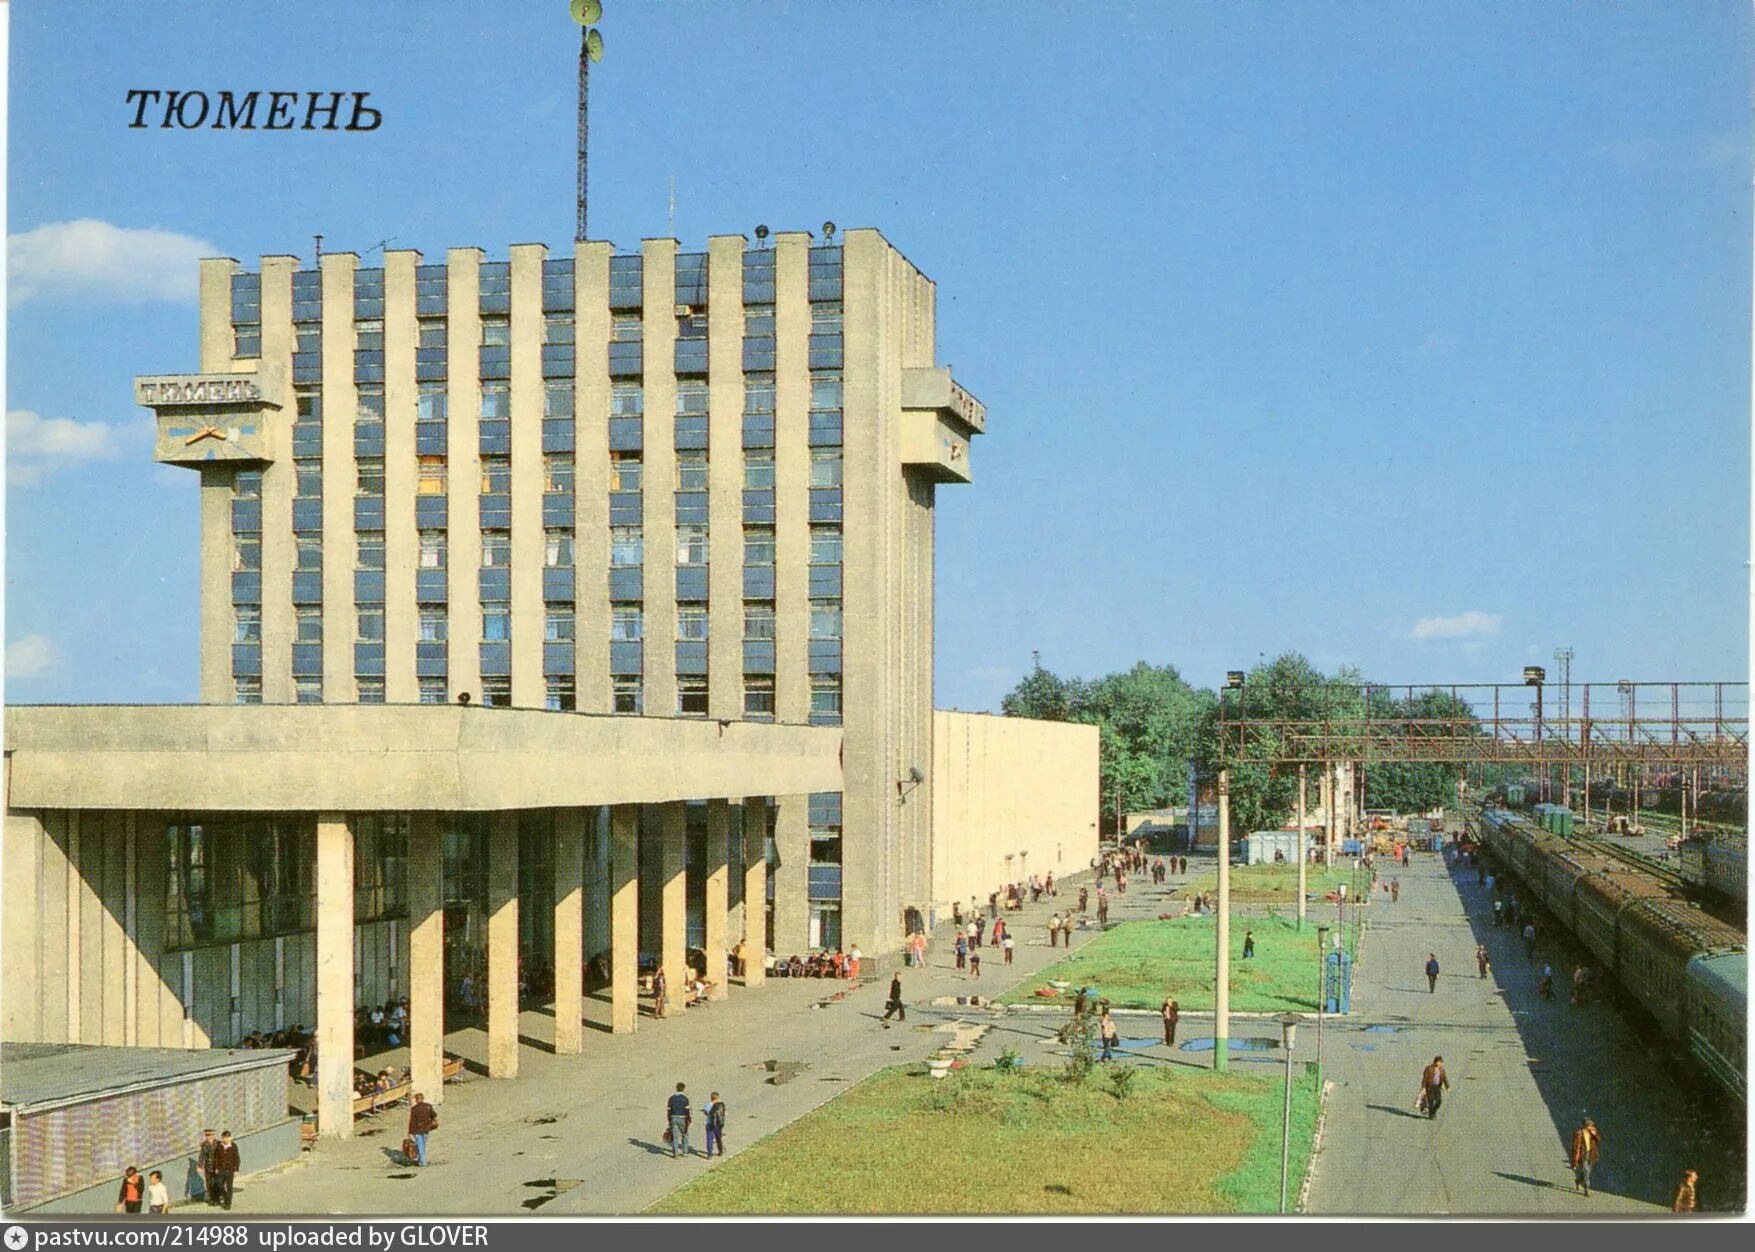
561	617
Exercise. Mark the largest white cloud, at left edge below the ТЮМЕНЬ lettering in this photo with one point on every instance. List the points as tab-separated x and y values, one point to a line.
99	261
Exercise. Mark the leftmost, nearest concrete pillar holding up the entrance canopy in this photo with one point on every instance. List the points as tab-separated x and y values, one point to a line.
334	977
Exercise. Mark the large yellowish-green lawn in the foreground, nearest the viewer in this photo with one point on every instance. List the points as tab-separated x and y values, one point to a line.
1026	1142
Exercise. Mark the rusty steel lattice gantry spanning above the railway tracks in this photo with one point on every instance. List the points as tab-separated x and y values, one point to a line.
1642	724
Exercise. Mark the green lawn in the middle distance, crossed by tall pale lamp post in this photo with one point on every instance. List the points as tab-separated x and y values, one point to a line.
1136	965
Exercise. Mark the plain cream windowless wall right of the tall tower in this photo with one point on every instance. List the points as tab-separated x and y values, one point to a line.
1010	798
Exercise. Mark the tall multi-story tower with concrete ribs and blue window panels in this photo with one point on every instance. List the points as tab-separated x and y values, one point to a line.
647	484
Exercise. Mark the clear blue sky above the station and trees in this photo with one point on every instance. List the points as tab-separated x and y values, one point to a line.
1414	338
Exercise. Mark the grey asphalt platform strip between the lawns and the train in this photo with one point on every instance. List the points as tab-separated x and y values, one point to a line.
1522	1072
